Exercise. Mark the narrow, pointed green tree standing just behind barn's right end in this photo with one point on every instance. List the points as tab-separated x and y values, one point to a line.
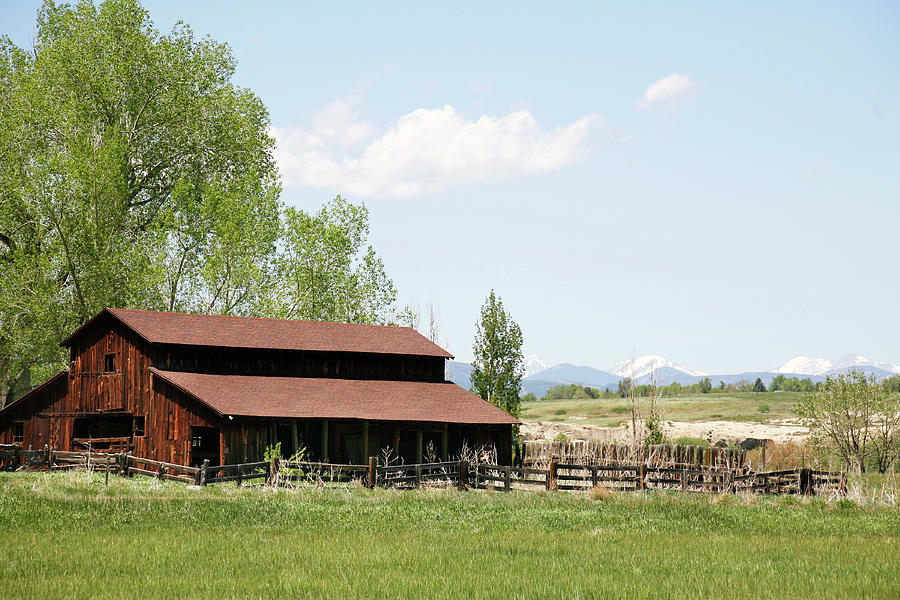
498	365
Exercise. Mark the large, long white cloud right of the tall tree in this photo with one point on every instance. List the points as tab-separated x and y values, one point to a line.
423	151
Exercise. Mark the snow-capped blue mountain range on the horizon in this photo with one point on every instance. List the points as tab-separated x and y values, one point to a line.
540	376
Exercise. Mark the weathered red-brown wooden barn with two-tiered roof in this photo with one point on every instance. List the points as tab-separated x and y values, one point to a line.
182	388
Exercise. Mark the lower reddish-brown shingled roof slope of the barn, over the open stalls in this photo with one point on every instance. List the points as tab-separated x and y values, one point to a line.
321	398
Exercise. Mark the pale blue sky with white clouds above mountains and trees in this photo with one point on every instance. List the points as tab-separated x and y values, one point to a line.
717	183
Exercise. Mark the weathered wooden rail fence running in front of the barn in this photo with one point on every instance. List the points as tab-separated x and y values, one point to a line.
558	475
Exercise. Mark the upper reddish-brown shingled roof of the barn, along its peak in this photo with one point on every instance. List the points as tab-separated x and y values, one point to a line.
271	334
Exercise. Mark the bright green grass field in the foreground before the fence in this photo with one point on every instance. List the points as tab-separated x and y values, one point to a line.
67	536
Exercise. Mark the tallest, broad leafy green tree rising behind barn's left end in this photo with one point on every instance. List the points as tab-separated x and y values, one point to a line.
133	173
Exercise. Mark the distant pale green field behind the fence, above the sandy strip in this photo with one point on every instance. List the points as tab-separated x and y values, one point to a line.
612	412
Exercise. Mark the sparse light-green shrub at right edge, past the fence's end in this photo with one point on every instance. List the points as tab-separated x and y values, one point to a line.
855	416
